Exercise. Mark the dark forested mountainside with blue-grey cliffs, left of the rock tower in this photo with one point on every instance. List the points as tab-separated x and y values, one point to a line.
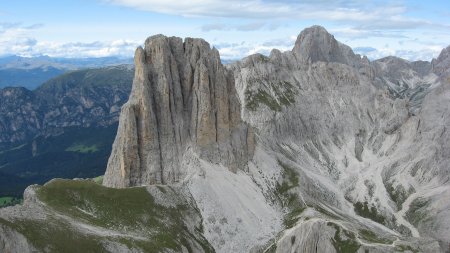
64	128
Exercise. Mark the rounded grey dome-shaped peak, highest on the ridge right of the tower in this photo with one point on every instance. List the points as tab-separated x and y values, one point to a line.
317	44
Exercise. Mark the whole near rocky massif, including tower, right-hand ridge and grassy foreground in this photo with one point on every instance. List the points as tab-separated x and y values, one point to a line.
311	150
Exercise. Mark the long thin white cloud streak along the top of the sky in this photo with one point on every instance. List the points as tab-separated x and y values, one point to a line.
374	15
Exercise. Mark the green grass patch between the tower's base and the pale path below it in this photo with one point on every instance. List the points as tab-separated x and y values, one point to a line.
130	211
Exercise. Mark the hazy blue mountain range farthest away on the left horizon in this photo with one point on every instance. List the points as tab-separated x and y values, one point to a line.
30	72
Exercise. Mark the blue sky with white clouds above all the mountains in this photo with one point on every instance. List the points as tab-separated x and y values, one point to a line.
413	30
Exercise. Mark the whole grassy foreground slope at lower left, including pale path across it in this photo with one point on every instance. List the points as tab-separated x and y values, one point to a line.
128	217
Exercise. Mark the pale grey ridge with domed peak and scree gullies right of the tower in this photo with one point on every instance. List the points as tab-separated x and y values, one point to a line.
355	131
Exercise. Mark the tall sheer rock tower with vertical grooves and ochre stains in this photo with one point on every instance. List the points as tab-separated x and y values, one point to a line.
182	98
